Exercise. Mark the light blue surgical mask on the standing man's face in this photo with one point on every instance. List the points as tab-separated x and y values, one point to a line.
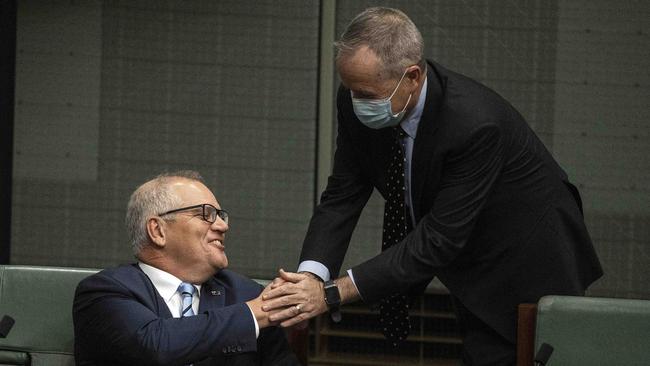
377	113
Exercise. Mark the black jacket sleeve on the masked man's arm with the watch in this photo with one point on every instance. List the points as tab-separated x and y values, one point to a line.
468	177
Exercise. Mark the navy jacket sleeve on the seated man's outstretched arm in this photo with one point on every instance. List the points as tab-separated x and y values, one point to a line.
113	323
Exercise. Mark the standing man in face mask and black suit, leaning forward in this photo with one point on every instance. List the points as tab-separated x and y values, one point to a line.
472	197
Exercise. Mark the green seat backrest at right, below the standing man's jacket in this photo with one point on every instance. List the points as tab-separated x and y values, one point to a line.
594	331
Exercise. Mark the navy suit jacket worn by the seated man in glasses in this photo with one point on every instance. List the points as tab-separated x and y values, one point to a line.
120	319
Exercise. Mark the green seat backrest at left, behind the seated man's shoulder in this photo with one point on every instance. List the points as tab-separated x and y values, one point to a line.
40	301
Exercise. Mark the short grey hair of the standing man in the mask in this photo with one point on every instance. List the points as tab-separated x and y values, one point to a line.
389	33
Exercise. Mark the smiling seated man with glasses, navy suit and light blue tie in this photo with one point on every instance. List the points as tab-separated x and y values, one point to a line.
178	305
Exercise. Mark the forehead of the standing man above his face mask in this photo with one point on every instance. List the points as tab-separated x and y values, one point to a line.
360	72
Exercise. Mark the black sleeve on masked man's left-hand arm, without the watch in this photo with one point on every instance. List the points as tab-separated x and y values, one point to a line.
335	218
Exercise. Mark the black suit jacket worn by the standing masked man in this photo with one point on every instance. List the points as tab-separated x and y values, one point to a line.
497	220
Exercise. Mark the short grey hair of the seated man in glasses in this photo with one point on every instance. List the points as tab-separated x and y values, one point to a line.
151	199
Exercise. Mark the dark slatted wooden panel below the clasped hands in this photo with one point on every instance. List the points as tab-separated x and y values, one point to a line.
434	339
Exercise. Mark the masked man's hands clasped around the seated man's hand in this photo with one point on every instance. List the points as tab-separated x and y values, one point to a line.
293	298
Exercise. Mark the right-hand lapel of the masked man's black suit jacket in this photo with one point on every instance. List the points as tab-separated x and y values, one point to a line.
424	147
